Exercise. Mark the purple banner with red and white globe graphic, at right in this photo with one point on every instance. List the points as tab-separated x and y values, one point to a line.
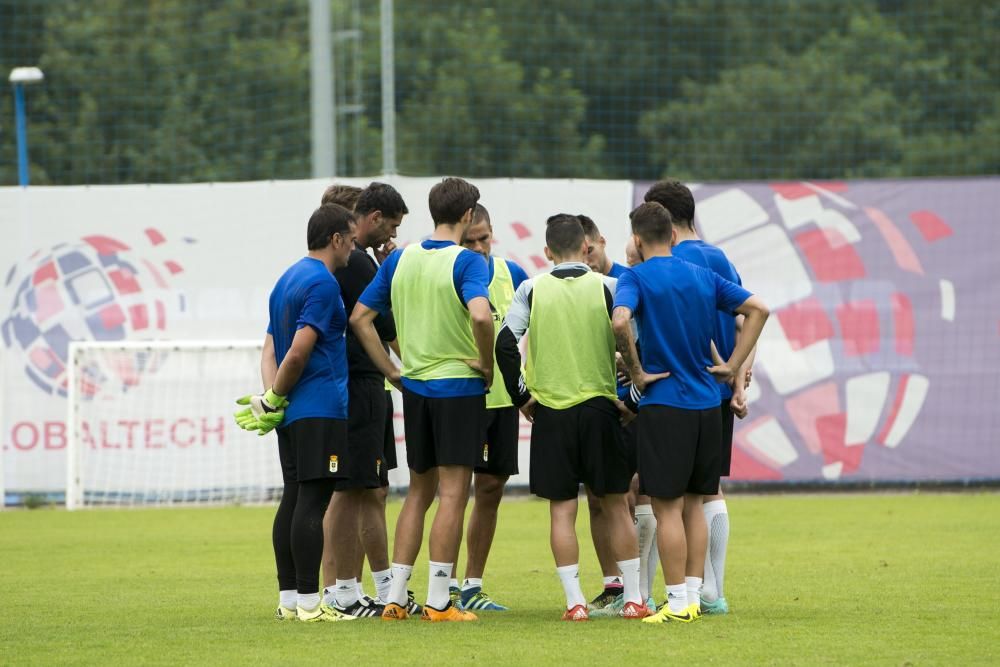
881	359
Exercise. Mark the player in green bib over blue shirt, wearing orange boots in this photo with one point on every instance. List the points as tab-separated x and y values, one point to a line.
438	294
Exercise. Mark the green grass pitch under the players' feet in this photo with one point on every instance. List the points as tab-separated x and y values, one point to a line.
813	579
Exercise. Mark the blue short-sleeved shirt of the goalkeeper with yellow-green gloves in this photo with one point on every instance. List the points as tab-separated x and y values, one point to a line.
308	295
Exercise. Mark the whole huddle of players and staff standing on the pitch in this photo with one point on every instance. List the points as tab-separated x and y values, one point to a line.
646	430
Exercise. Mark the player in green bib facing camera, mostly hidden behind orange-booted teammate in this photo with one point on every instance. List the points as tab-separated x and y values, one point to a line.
498	453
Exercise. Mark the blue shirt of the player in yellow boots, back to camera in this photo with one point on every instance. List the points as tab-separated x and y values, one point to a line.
674	303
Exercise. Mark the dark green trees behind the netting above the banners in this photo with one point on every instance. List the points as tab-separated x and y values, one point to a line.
177	90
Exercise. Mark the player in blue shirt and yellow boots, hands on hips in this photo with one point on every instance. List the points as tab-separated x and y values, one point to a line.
674	303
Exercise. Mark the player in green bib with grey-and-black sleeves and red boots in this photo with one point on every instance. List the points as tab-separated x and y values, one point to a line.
568	393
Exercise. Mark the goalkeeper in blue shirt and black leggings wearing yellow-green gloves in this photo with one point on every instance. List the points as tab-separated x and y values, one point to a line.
304	367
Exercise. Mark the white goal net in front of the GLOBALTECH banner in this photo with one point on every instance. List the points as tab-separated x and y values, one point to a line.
151	423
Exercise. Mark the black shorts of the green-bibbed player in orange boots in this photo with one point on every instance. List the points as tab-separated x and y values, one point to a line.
443	431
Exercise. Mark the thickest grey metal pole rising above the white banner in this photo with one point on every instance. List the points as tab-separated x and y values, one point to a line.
324	128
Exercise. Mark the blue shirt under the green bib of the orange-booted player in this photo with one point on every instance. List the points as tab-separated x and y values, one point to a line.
471	279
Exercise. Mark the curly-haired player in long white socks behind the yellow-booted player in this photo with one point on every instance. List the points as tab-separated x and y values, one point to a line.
678	199
